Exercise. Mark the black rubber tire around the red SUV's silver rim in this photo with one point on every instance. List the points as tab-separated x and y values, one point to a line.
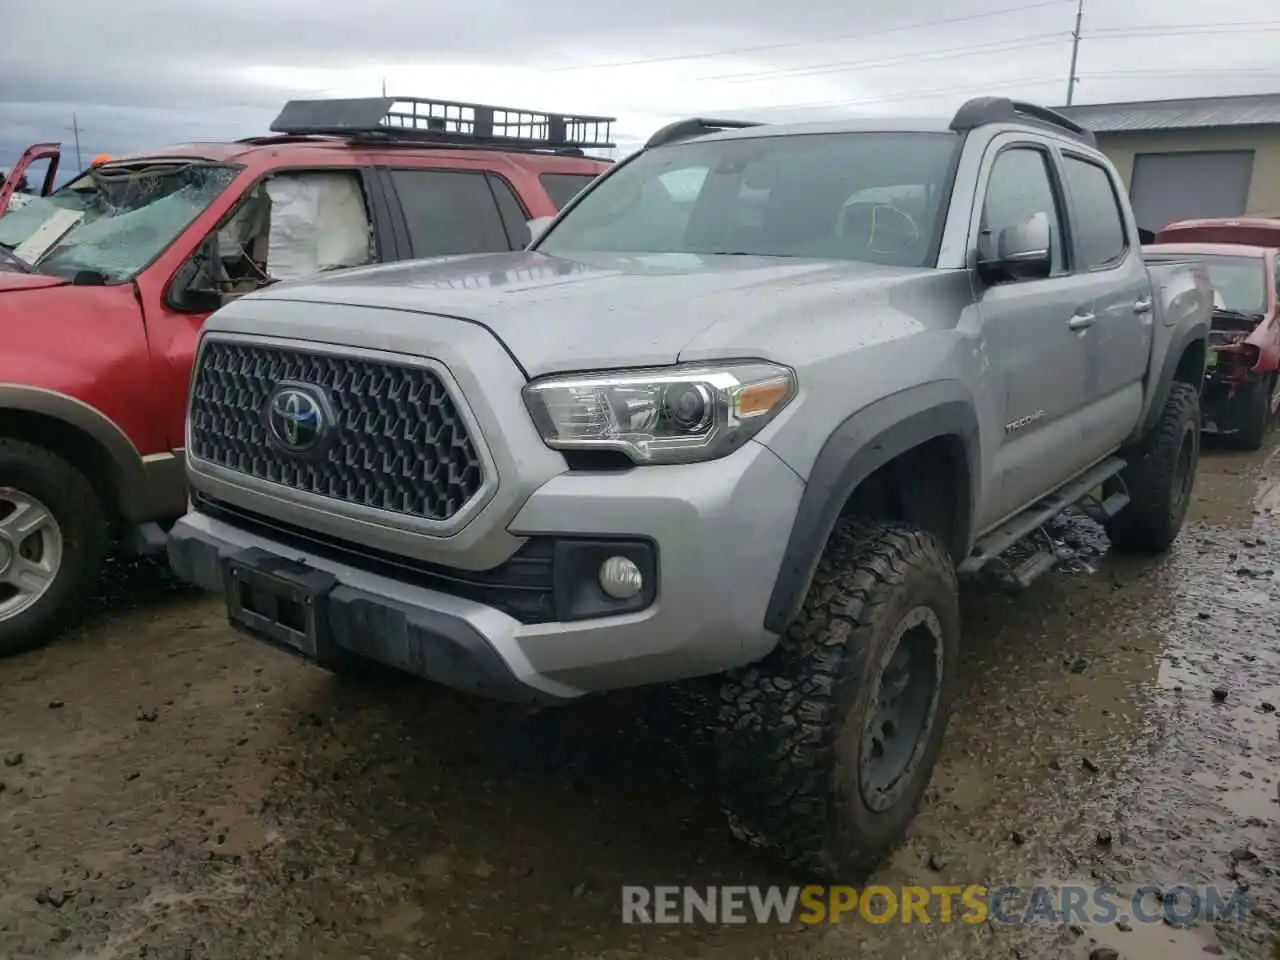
63	491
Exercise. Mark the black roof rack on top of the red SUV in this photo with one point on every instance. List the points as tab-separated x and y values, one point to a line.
445	122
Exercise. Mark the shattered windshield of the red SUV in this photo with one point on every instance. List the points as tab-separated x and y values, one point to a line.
126	218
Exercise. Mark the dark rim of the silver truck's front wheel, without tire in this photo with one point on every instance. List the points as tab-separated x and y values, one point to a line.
902	716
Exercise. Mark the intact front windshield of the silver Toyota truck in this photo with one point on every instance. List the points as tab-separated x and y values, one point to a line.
875	198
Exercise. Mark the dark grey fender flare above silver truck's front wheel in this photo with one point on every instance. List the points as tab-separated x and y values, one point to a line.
856	450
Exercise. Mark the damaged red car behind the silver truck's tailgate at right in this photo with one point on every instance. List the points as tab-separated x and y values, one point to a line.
1242	387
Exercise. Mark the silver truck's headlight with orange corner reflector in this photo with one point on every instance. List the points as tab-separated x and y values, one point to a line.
664	415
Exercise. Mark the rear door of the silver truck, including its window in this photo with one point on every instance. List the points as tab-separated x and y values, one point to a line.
1119	337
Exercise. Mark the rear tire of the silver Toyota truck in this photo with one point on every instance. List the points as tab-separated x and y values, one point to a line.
1160	477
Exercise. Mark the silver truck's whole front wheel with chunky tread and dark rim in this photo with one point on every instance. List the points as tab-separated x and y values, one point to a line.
828	746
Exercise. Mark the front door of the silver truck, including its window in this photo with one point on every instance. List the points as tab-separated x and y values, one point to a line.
1037	362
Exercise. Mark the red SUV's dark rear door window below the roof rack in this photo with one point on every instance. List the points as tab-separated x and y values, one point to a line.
450	212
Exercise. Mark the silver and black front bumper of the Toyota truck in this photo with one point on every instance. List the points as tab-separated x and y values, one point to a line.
719	529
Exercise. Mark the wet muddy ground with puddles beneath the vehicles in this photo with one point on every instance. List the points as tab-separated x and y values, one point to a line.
173	790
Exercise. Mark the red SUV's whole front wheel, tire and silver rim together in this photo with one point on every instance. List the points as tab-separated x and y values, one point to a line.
53	537
